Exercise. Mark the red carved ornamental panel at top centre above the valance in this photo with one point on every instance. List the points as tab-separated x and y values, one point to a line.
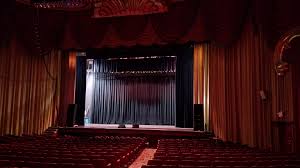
115	8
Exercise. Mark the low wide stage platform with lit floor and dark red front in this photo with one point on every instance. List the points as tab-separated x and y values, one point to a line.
149	131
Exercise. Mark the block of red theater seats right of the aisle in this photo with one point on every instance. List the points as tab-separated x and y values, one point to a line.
198	153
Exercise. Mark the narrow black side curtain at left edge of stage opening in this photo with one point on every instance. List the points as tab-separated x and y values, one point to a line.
80	89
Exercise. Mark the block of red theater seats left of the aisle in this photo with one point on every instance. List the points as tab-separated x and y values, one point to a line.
67	151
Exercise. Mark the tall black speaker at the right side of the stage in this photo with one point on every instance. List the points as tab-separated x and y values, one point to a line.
198	117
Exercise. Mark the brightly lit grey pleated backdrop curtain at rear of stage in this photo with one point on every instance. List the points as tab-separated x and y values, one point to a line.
117	93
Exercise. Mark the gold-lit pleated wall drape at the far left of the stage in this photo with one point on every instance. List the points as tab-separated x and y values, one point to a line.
30	89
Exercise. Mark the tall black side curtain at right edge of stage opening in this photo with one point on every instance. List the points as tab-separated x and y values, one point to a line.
184	87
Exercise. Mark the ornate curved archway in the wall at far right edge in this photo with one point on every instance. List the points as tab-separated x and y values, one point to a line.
286	93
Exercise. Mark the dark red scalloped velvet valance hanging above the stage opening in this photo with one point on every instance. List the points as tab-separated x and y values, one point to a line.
192	20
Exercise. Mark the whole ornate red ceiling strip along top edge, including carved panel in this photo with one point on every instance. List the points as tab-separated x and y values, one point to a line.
106	8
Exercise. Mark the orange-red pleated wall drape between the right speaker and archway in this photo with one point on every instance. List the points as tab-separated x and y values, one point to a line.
236	75
